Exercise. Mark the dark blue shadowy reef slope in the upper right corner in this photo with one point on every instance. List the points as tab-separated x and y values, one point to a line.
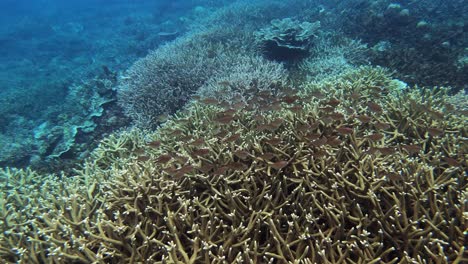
427	37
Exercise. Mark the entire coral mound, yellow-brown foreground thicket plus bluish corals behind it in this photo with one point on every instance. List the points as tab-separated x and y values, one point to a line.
277	146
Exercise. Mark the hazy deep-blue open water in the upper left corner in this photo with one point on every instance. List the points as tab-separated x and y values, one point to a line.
55	43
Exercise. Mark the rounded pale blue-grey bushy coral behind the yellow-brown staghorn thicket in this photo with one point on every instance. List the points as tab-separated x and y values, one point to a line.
163	82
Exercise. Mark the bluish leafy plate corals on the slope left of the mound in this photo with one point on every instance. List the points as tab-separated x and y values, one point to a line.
67	132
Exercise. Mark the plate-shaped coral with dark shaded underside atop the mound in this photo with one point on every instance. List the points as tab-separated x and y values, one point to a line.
287	39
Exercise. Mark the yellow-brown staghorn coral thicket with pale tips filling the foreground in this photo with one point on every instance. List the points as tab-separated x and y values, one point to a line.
362	174
